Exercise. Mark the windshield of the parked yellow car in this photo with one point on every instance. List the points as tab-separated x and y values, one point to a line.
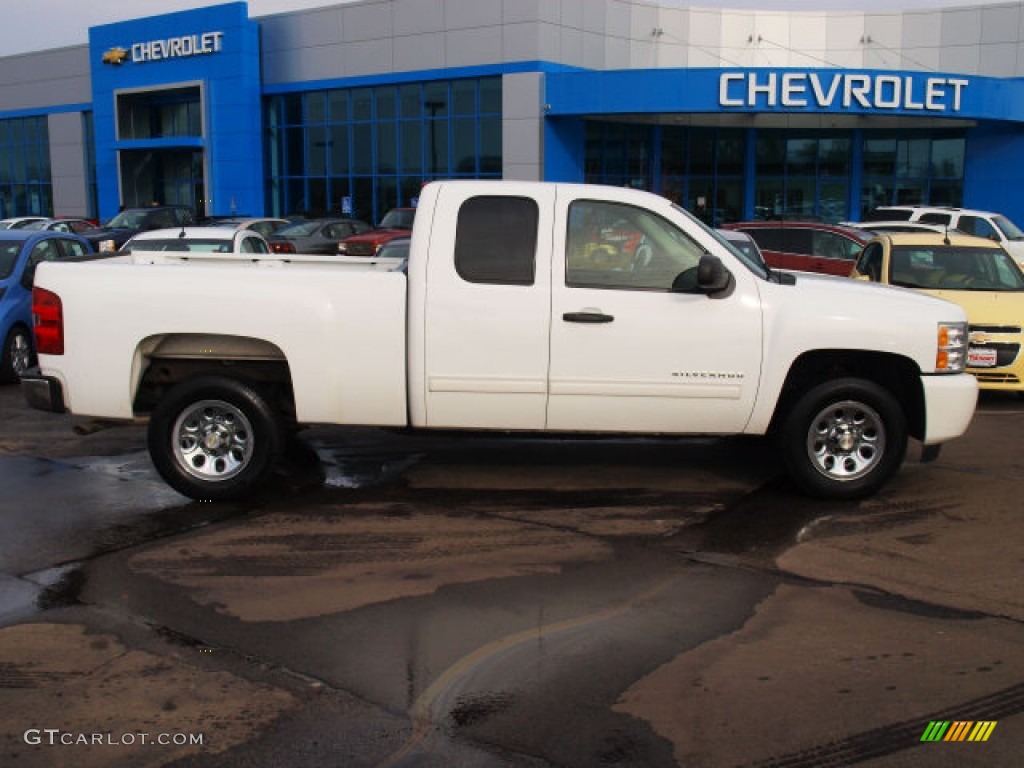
955	269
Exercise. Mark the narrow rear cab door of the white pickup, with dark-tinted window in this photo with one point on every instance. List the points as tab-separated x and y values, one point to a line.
488	308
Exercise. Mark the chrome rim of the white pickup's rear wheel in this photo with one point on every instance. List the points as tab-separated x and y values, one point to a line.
214	441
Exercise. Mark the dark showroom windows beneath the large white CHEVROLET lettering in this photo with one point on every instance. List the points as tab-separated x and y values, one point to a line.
795	174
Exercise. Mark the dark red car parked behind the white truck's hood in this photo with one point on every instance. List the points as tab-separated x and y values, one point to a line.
806	246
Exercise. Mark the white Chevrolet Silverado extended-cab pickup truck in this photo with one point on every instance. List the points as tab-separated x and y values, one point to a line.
525	308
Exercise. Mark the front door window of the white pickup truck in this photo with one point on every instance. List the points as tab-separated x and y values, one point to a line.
617	246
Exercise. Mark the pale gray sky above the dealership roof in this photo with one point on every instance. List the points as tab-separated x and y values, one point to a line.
37	25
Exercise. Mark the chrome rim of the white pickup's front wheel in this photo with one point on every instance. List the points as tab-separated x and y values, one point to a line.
846	441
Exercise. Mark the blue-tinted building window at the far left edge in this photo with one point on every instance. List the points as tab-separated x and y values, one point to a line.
26	187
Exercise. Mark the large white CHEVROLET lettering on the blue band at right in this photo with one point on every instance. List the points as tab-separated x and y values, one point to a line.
796	91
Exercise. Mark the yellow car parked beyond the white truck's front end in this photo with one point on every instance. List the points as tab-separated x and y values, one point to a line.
975	273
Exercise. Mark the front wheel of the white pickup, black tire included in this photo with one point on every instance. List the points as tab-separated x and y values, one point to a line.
844	440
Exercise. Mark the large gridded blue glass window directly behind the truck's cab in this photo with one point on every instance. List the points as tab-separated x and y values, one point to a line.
361	152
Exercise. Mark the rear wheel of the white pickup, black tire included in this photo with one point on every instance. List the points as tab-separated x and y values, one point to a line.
216	439
